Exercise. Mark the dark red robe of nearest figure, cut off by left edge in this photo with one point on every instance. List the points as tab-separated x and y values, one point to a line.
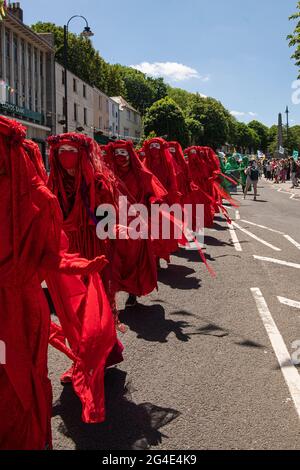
25	217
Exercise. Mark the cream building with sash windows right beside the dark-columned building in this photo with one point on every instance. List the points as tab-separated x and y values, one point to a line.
80	103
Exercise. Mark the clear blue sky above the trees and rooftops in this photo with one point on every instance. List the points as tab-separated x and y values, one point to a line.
233	50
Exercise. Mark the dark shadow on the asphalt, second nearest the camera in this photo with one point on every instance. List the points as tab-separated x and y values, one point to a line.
150	324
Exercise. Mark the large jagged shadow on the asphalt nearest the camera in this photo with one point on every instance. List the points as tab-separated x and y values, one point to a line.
128	426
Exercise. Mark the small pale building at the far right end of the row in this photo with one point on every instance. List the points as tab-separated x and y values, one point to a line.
130	120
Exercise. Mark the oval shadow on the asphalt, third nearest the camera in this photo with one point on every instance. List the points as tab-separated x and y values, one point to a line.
176	276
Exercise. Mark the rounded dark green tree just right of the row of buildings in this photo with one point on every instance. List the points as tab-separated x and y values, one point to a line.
165	118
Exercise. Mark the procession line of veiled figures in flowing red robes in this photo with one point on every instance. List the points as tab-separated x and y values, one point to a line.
48	233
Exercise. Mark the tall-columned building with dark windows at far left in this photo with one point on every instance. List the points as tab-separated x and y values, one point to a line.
27	76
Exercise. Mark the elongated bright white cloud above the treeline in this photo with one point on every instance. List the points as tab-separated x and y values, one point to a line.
172	71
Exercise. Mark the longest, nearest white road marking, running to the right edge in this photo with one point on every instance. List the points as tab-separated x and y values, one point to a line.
289	371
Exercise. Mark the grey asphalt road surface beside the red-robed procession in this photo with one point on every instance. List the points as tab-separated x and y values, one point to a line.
207	361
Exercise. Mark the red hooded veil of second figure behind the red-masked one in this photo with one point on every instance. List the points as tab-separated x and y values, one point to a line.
160	163
